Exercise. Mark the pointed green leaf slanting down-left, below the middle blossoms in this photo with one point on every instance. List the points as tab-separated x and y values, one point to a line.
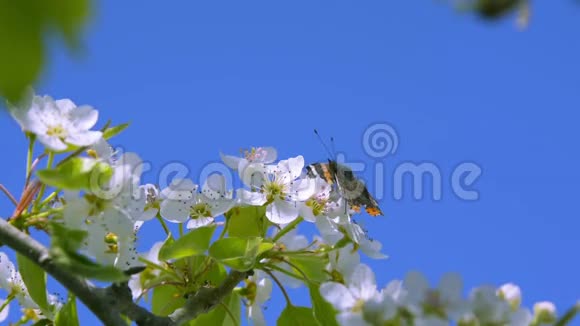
195	242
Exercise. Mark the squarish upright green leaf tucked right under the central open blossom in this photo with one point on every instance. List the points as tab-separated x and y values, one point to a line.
246	222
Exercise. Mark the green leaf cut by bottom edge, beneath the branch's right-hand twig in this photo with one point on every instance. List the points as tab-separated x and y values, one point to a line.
219	315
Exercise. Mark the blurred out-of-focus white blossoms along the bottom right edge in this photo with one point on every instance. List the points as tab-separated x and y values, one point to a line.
413	301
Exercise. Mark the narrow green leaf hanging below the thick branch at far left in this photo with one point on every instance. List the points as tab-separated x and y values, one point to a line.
34	278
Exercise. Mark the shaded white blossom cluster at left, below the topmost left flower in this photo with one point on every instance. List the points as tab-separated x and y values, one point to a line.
113	213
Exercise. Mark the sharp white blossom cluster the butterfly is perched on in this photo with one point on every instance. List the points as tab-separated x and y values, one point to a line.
282	187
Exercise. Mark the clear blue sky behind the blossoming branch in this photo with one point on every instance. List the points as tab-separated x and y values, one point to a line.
195	78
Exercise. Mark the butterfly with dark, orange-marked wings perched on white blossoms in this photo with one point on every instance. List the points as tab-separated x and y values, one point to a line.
344	181
